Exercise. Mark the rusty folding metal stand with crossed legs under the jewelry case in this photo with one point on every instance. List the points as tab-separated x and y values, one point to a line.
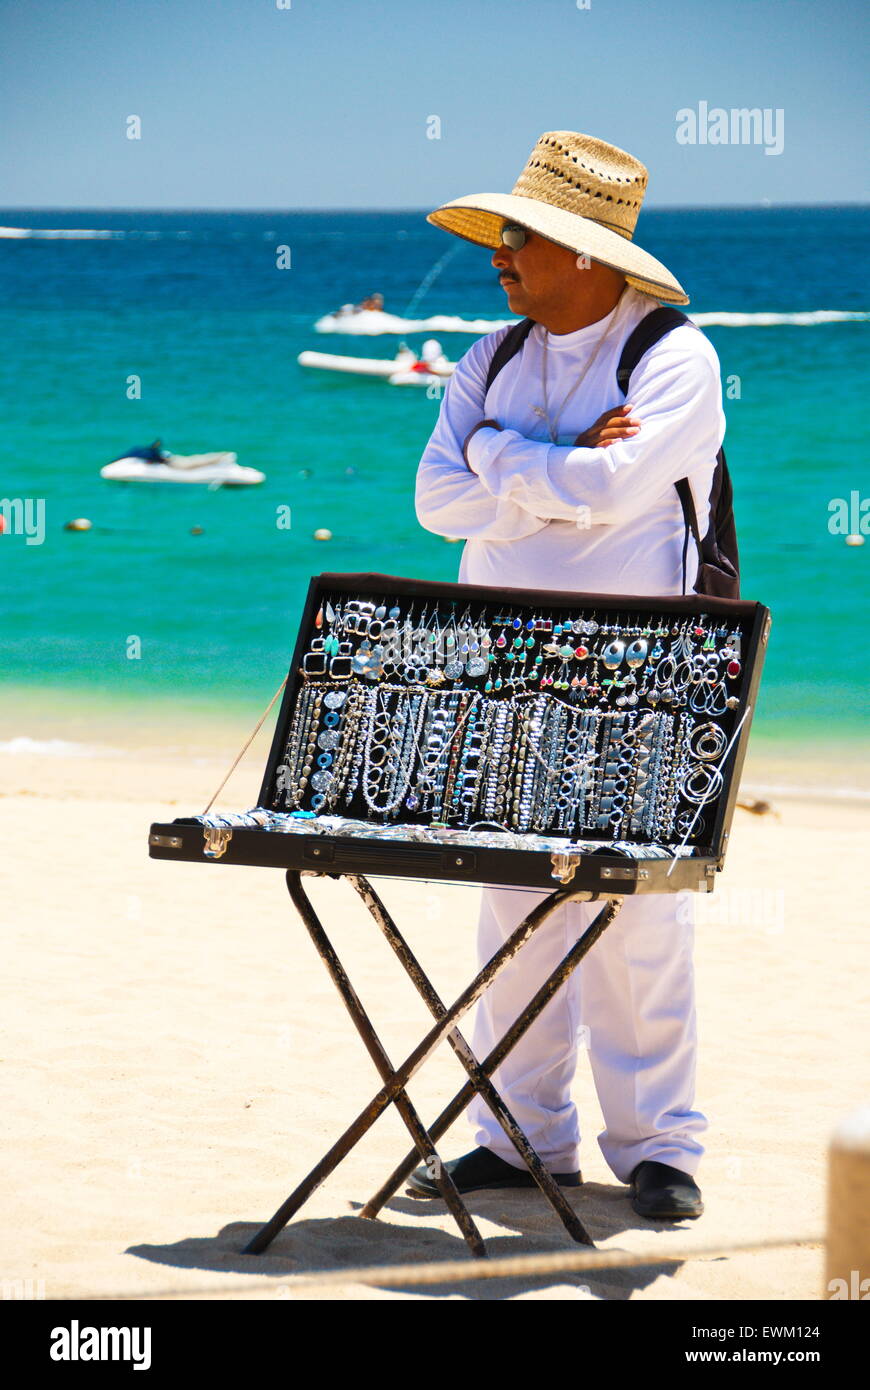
395	1079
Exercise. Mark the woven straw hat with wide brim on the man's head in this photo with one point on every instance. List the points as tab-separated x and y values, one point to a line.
577	193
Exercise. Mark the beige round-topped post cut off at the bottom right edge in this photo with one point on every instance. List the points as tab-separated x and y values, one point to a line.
848	1232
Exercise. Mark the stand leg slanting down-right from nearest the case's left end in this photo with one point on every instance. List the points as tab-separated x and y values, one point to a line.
377	1053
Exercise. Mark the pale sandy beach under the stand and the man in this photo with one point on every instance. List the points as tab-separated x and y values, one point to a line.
176	1057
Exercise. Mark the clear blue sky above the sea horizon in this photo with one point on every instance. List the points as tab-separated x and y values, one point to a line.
326	104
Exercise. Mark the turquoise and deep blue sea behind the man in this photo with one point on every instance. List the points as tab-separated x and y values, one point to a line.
195	306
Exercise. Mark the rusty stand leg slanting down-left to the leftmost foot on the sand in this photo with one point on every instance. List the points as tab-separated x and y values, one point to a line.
409	1068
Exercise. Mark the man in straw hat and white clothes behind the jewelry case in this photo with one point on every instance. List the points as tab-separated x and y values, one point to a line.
558	483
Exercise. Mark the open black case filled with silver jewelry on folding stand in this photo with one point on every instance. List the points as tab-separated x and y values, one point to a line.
518	737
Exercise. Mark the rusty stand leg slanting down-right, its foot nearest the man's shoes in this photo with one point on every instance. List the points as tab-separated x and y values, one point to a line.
482	1084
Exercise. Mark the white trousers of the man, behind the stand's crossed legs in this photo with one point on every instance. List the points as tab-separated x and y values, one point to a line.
632	1001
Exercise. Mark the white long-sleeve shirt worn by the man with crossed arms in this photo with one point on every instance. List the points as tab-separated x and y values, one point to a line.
543	515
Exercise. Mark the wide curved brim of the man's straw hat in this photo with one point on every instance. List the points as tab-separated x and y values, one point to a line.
480	218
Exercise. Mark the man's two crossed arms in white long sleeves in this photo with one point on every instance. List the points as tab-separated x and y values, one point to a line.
480	480
